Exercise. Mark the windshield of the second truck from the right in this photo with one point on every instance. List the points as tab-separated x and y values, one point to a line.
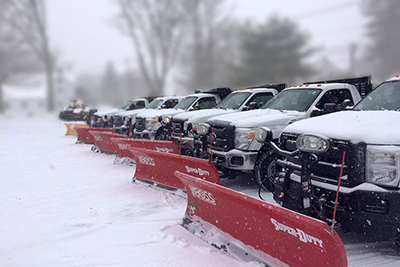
293	99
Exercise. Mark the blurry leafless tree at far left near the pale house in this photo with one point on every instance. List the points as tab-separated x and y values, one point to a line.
28	19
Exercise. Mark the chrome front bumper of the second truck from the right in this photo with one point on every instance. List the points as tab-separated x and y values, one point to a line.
235	159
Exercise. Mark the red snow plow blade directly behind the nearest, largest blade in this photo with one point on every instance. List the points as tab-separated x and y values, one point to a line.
157	168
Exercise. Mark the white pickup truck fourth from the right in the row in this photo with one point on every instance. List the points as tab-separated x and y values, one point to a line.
152	124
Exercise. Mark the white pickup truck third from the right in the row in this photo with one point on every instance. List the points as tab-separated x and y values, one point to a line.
184	124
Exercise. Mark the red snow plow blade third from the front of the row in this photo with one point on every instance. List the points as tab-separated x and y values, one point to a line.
122	145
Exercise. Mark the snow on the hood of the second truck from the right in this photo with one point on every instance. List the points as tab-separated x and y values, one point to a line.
261	117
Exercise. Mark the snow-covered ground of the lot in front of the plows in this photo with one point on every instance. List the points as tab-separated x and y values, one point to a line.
63	205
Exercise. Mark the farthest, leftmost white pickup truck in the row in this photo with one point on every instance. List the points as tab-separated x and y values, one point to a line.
103	119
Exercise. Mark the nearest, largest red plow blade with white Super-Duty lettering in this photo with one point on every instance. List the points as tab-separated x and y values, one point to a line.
253	230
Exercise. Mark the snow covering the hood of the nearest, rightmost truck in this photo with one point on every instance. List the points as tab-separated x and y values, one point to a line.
371	127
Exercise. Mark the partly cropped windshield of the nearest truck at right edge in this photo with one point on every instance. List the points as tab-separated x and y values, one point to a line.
385	96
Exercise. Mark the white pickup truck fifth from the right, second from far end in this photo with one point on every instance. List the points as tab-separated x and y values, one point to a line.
123	119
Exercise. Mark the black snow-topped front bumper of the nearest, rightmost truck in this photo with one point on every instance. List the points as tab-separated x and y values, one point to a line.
366	207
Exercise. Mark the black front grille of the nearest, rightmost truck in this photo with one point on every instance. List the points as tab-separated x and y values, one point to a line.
327	169
